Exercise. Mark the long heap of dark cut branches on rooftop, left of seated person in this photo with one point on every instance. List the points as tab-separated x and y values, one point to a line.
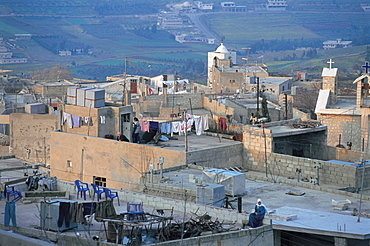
193	227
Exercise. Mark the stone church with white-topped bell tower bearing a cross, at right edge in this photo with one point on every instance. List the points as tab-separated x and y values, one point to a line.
347	118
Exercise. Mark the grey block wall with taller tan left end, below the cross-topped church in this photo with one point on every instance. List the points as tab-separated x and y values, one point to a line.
260	157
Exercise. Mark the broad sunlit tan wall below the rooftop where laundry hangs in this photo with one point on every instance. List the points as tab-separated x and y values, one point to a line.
82	157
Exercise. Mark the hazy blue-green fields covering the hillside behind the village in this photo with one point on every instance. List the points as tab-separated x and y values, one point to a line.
111	35
